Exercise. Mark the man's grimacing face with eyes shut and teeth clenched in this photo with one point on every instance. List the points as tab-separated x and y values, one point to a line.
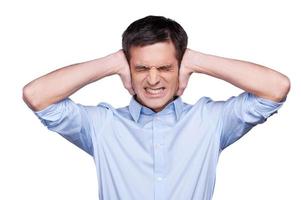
154	70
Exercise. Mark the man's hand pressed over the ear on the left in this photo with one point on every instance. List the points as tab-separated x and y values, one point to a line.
124	71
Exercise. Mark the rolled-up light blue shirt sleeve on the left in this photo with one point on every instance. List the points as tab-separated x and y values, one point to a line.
70	120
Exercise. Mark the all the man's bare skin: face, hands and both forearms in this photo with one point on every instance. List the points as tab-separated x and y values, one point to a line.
259	80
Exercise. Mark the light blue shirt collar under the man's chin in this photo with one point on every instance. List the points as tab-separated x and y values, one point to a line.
135	108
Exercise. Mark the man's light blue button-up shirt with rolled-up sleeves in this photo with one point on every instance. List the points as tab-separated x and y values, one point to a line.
169	155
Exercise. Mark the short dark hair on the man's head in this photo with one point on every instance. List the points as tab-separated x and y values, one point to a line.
153	29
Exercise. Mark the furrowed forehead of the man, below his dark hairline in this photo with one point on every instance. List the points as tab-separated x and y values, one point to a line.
160	53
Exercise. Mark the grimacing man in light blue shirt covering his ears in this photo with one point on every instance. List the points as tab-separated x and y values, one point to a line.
158	147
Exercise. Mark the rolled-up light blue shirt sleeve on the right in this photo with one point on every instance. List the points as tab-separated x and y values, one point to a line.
241	113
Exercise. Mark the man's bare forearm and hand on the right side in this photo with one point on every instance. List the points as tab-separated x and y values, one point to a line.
258	80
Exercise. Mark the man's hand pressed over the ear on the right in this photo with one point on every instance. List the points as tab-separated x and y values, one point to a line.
187	67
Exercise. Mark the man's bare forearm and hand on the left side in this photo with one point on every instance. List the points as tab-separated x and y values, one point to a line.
61	83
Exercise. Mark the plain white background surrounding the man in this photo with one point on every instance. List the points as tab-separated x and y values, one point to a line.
40	36
